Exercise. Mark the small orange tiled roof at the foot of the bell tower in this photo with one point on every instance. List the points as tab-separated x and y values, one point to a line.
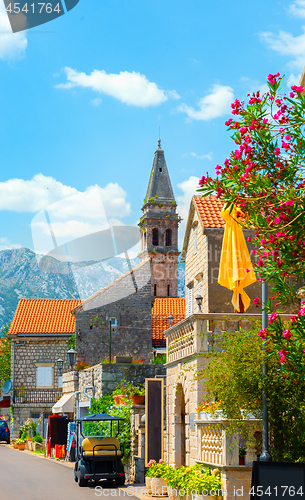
161	309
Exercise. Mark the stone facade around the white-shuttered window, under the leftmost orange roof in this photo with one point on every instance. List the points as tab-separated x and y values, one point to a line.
37	351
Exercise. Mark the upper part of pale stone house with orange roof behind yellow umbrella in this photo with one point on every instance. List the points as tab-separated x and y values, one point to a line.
201	253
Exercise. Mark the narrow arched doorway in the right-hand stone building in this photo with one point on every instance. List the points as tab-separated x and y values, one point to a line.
180	434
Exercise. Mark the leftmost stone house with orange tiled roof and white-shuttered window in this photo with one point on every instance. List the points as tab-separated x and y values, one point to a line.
39	333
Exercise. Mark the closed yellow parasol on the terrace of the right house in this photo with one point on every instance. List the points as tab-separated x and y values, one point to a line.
235	270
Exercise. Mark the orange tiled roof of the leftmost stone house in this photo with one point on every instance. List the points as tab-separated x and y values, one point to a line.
44	316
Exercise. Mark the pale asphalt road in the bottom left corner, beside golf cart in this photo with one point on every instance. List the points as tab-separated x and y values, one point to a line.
25	476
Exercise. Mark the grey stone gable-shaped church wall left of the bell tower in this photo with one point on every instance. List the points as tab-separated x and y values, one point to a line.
127	299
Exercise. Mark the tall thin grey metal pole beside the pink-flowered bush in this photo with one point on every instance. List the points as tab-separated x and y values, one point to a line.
265	455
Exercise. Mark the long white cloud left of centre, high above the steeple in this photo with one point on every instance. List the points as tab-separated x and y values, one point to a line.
132	89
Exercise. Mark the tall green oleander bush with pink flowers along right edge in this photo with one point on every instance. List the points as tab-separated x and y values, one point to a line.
263	180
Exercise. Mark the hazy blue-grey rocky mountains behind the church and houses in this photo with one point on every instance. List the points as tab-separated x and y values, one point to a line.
21	277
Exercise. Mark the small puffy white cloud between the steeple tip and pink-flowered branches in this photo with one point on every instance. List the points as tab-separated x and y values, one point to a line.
213	105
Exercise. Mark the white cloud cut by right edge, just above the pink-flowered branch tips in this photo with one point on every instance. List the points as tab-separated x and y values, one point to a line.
286	44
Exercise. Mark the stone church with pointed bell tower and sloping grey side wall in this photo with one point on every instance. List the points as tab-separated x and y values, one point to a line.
138	303
